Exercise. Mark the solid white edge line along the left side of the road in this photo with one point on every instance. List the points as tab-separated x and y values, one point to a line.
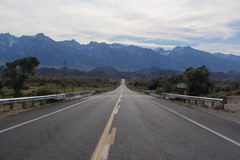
44	116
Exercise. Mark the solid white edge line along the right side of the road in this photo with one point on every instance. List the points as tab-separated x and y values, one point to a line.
198	124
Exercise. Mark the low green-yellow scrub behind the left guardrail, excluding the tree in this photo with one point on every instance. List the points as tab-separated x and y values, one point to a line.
38	85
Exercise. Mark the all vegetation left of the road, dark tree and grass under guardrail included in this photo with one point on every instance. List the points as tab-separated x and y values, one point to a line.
19	80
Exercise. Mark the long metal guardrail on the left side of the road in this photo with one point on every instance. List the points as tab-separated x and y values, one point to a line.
62	96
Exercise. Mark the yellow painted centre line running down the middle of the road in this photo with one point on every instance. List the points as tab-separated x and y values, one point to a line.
103	146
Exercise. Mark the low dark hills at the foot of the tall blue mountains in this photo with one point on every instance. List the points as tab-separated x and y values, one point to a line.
147	73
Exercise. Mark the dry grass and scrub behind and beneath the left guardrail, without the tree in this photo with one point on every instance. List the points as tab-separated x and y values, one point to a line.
55	84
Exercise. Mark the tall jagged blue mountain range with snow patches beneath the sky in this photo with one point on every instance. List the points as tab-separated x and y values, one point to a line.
72	54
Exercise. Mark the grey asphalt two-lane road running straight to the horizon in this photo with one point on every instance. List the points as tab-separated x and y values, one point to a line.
121	124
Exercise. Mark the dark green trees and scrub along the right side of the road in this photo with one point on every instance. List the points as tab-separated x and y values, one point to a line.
196	83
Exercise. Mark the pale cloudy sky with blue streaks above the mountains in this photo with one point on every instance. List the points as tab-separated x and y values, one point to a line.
211	25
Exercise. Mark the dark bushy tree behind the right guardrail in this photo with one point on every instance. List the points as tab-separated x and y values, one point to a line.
197	80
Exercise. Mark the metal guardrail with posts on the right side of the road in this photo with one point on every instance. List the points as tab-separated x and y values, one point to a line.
195	98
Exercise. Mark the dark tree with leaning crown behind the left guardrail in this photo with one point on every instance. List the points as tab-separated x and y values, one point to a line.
18	72
